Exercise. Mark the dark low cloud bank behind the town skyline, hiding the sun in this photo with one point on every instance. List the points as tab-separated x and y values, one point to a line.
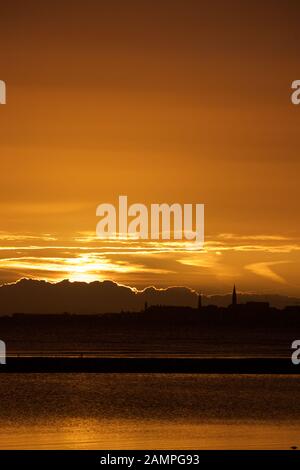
34	296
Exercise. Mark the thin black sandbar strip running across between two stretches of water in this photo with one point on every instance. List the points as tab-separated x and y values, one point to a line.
151	365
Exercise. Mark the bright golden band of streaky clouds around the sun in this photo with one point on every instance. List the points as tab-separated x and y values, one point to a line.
225	258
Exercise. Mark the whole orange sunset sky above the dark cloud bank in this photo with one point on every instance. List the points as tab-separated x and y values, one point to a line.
168	102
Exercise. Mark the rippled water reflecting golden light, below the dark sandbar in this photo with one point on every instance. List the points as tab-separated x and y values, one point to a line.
150	411
